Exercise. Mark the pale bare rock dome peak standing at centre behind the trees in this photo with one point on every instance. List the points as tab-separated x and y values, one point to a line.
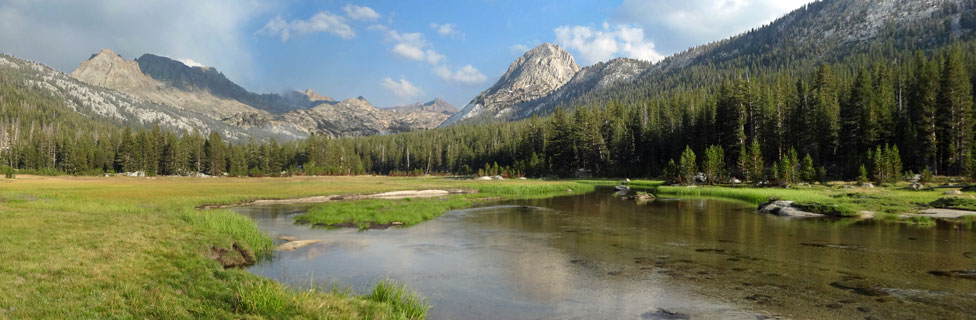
536	74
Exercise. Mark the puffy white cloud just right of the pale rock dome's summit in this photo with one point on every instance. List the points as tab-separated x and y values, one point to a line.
595	45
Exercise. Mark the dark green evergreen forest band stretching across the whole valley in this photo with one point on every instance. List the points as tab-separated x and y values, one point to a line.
886	115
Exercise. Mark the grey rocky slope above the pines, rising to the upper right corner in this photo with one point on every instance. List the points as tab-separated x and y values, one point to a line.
828	31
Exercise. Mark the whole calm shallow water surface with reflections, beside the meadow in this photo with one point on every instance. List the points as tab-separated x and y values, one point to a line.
596	257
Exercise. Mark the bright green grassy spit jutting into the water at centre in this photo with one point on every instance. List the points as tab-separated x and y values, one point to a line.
378	212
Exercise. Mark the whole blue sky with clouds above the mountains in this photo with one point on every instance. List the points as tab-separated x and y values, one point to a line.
390	52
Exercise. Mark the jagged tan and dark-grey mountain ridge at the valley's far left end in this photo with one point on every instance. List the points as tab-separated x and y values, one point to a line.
207	93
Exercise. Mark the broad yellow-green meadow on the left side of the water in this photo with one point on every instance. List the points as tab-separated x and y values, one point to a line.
92	247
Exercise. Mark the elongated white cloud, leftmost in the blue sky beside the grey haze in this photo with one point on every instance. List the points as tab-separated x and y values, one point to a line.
321	22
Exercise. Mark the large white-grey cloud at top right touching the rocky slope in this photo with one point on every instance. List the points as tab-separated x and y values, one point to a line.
681	24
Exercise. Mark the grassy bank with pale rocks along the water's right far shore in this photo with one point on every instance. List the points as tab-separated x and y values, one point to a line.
835	199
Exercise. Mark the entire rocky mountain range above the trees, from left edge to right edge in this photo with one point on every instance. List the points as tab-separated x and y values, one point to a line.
155	89
